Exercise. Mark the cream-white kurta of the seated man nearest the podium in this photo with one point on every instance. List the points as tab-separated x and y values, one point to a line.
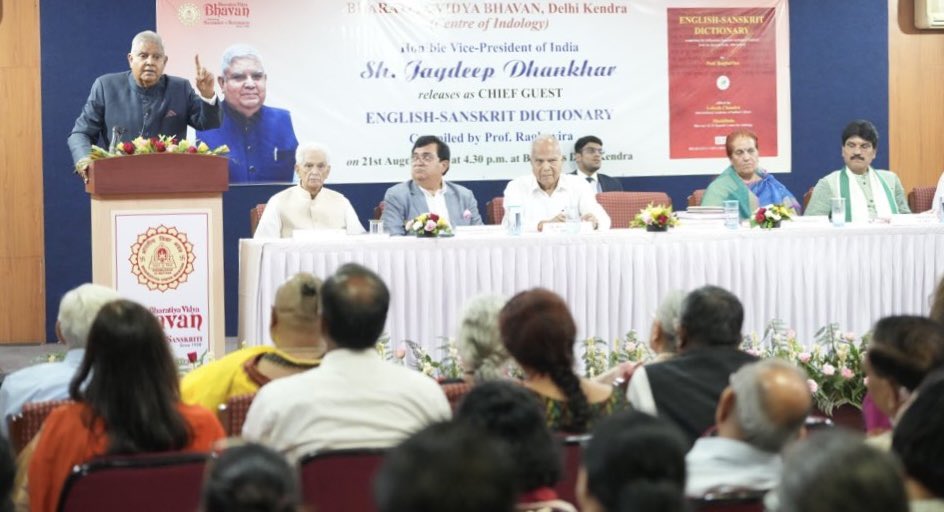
293	208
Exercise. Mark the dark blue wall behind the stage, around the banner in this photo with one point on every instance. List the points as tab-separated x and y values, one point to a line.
838	54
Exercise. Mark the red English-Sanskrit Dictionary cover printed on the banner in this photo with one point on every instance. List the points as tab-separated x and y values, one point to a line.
722	77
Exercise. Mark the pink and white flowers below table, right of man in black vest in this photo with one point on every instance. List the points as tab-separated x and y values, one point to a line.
834	362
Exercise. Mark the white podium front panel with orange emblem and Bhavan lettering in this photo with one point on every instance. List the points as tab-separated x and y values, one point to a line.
161	261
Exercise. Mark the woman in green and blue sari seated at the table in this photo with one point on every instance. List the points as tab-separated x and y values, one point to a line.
744	181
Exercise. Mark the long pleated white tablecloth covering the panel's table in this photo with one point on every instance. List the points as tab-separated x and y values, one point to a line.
807	274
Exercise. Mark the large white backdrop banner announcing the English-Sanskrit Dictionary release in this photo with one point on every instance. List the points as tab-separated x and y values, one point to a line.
661	82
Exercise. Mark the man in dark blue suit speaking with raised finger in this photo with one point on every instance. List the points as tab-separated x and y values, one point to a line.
142	102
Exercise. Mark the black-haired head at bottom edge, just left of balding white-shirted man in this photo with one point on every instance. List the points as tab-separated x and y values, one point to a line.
634	461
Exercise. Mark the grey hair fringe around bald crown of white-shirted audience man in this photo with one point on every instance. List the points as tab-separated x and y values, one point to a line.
752	405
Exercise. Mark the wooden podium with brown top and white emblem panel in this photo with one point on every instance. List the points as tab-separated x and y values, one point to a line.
157	238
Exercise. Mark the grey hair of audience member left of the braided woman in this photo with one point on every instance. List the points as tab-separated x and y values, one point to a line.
479	340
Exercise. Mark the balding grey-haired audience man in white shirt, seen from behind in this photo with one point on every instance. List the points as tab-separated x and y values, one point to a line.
759	413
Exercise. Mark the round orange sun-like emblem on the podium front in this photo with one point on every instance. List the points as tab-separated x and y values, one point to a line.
162	258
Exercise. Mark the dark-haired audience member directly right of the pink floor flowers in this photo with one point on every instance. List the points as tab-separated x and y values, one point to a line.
902	351
